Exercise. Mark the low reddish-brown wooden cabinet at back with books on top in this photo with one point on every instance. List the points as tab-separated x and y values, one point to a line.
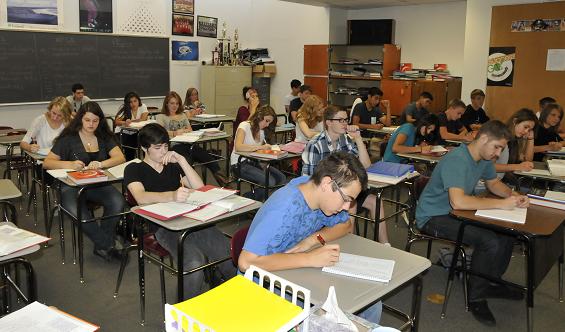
402	92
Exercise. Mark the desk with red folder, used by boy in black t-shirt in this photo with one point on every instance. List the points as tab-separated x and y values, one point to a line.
184	226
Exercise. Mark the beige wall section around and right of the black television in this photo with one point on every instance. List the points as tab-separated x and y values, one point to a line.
428	34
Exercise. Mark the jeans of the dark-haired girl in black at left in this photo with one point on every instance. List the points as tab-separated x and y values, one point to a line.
102	232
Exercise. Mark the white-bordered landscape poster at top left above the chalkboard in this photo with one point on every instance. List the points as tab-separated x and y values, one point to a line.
34	14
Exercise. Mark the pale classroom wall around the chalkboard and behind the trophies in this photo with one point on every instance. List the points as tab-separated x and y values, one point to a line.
282	27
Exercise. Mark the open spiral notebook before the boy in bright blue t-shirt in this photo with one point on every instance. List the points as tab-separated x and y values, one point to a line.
362	267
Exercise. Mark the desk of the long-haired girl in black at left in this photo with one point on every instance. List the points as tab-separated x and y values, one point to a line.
83	188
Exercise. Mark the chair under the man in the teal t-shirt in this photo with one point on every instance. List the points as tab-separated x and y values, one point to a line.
414	235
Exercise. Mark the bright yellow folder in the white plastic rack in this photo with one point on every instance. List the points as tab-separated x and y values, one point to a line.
237	305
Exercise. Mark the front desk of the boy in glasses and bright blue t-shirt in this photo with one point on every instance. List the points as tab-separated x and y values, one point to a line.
354	295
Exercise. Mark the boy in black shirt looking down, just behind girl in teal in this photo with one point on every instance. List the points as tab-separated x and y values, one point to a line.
450	127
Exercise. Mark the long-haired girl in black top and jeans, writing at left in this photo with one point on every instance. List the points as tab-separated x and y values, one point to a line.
89	142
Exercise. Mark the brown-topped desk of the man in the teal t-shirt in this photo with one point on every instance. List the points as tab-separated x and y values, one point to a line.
541	223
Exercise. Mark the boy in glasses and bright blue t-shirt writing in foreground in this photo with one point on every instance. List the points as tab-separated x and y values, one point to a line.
285	230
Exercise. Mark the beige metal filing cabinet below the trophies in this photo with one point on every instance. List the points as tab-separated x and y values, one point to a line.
220	88
